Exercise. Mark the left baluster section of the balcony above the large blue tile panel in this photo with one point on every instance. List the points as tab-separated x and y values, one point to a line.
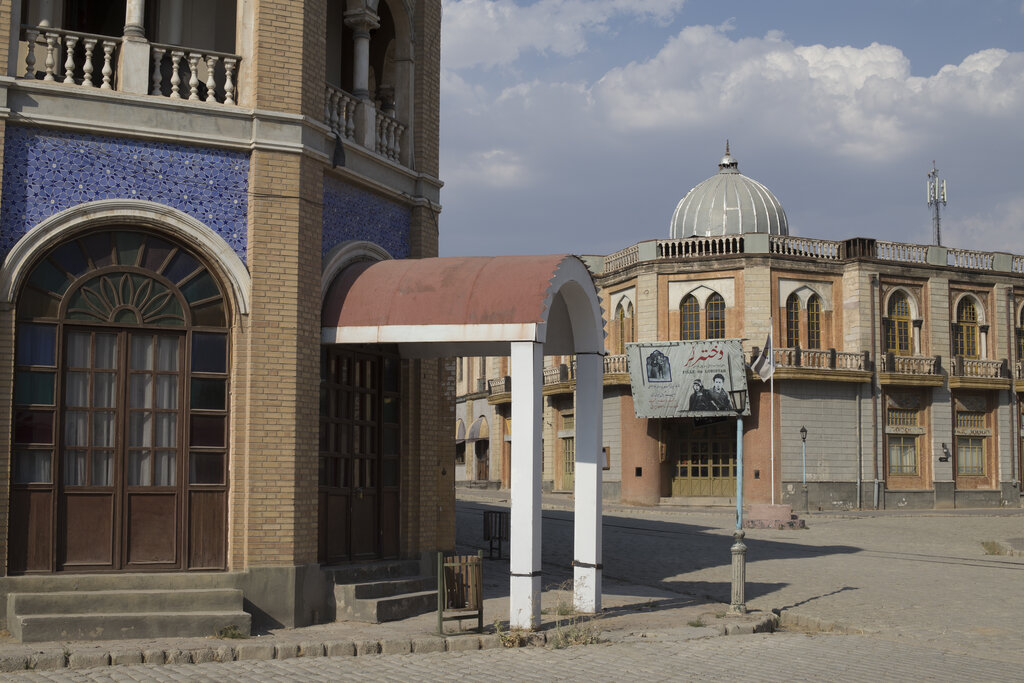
71	58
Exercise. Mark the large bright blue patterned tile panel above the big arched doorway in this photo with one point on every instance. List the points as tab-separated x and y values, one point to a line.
46	173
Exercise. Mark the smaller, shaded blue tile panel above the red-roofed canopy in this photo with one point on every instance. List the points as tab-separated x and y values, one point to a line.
351	214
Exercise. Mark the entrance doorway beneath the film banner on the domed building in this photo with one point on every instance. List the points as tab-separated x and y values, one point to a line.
704	460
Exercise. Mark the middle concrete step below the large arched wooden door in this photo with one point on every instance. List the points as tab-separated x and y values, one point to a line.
91	603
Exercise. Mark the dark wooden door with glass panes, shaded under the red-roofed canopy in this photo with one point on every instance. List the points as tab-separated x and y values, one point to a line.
359	454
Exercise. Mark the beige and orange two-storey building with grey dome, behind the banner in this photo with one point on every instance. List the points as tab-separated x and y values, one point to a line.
903	363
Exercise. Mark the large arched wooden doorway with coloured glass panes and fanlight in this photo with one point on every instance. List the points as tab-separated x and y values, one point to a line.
120	446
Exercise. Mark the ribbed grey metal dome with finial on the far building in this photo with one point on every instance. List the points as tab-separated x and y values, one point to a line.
729	203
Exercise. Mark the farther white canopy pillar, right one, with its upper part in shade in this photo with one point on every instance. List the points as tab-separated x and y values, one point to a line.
589	463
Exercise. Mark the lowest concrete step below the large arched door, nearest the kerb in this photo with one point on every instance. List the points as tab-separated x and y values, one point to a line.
112	626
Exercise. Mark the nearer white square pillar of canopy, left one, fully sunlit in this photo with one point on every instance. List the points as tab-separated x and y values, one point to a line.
525	550
